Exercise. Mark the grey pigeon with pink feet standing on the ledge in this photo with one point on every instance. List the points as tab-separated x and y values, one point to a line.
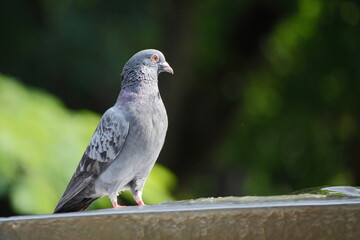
127	140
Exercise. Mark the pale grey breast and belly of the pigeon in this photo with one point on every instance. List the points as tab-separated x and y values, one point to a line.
147	129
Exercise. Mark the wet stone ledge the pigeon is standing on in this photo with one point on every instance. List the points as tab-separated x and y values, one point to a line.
283	217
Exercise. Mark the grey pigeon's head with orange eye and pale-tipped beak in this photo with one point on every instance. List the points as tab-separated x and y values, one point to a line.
151	60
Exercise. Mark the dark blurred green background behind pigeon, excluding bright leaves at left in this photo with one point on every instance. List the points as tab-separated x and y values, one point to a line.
265	95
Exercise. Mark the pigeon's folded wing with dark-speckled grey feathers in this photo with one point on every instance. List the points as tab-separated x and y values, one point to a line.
105	145
